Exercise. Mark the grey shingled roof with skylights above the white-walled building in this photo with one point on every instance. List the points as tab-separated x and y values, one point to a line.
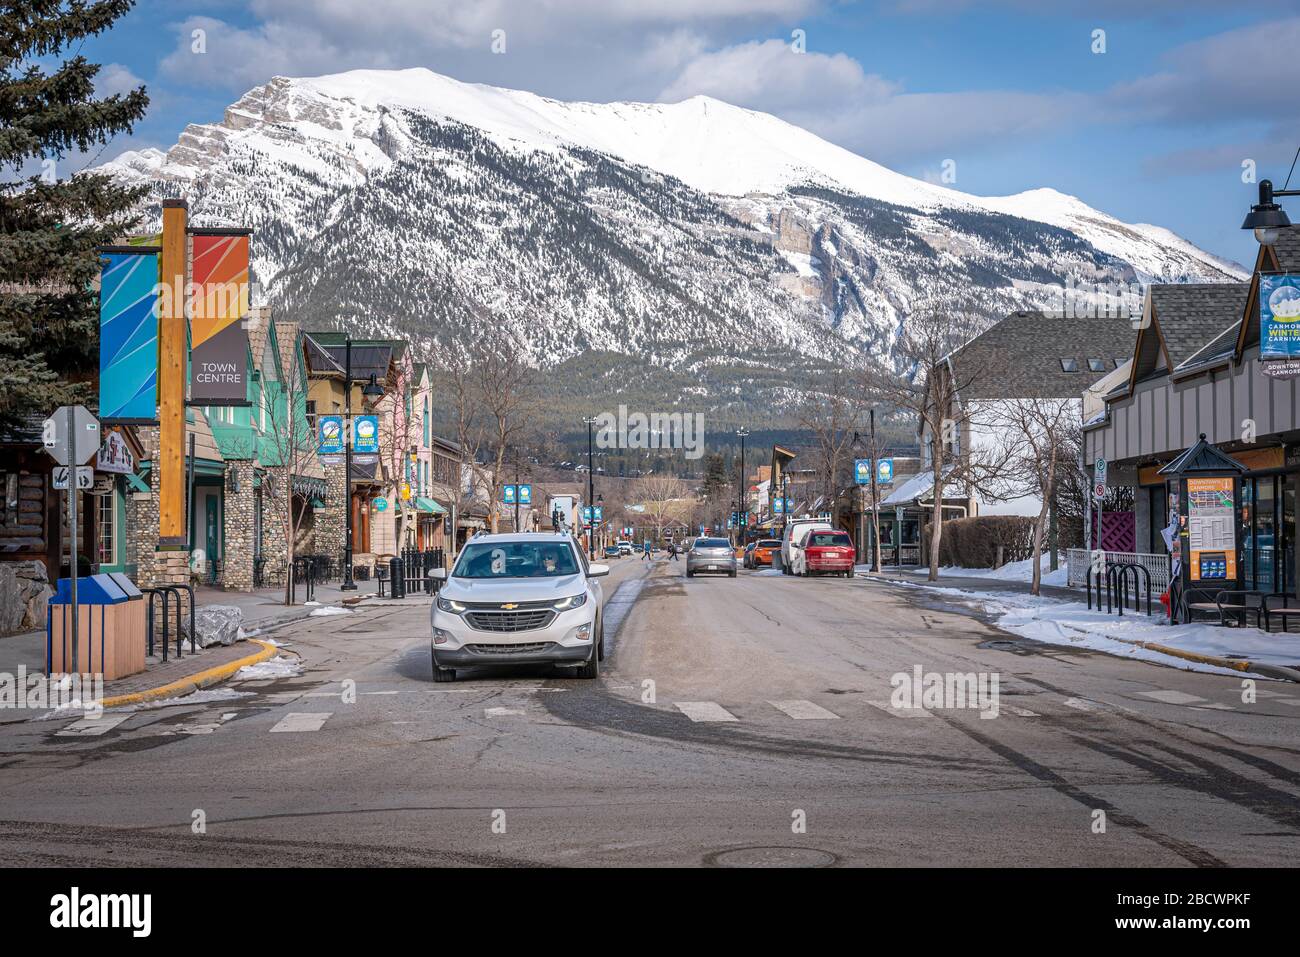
1021	357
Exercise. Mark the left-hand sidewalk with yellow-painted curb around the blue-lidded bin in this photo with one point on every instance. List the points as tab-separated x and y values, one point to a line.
263	612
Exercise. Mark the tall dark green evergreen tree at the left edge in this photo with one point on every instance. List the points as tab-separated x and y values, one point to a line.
53	222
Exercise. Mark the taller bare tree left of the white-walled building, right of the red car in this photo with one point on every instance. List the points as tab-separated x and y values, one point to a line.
930	389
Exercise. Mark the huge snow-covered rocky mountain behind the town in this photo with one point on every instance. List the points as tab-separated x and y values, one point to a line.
696	240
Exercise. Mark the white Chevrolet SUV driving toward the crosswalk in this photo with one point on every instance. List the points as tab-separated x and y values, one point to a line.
519	600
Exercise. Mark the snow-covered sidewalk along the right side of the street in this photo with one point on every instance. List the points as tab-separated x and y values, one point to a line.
1061	617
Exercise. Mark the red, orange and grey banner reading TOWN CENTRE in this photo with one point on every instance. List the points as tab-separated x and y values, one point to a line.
219	343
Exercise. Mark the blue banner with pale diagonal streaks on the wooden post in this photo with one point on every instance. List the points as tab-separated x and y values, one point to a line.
129	336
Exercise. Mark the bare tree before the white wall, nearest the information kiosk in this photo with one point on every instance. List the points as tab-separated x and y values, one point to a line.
1039	435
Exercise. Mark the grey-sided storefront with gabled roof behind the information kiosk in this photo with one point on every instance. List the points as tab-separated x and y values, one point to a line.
1197	371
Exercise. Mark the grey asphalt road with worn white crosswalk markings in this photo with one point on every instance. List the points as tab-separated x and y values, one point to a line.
739	722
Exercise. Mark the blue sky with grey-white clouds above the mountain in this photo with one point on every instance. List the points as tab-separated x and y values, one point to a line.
1154	129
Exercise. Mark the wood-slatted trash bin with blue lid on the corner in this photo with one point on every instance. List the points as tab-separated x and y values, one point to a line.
111	621
